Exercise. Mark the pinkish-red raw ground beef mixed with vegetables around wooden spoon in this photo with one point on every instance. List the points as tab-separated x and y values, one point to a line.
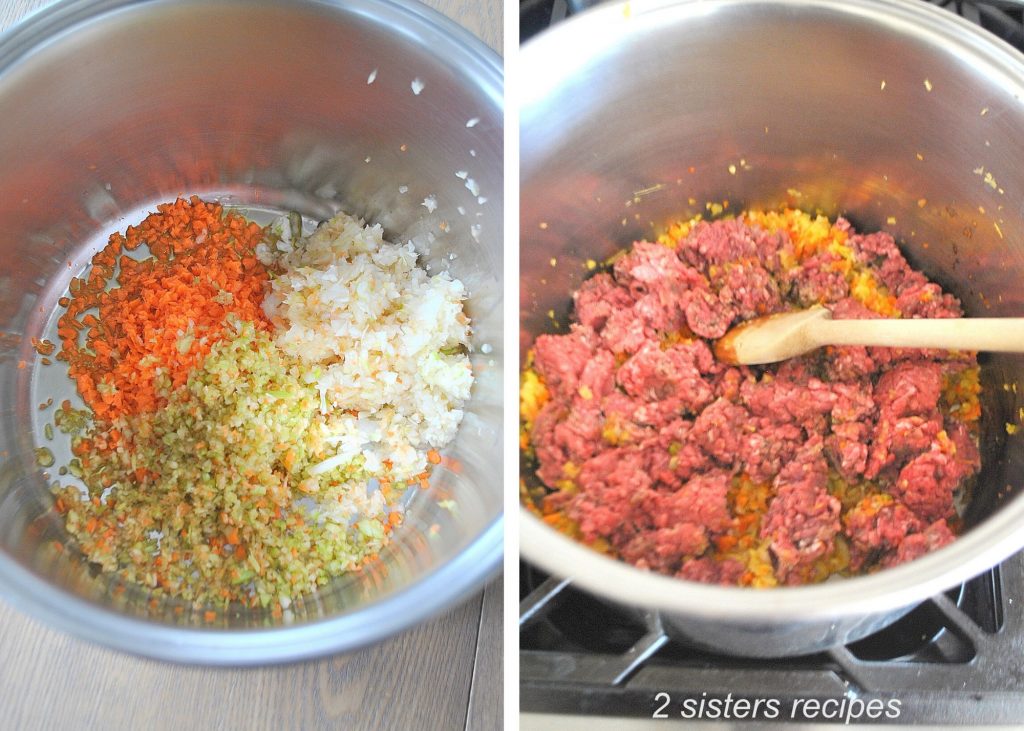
652	446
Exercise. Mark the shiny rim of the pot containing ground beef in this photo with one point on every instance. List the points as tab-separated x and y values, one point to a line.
978	550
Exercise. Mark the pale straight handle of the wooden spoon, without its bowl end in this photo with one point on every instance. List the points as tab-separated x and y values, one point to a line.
993	334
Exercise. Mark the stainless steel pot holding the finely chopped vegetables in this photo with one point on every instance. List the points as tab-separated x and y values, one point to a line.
111	107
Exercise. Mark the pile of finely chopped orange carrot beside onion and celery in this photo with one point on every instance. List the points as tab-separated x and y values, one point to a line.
133	337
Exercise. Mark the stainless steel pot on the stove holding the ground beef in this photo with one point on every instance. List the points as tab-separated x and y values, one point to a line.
899	115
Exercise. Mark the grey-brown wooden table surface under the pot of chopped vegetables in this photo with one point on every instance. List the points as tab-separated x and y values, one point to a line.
444	675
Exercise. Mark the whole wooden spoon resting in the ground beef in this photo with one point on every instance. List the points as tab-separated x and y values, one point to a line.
787	335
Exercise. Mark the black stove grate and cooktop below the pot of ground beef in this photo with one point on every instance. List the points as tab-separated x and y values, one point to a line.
956	659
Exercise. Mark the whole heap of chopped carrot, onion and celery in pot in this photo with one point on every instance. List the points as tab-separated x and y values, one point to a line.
258	401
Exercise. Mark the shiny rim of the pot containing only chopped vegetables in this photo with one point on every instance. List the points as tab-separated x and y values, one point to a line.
390	615
